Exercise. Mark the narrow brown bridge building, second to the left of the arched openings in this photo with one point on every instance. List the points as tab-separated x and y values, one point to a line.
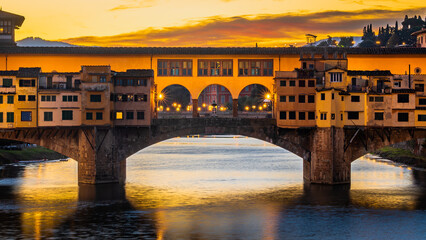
96	87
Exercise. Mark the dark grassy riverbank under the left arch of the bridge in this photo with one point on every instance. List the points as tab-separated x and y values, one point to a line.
36	153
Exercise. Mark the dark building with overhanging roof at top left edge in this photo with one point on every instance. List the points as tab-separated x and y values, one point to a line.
8	23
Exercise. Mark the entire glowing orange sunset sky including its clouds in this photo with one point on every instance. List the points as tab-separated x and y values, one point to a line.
202	22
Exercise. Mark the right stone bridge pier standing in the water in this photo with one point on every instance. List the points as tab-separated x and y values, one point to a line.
327	164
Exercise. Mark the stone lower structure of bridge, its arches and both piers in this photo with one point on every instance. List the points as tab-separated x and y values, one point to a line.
101	152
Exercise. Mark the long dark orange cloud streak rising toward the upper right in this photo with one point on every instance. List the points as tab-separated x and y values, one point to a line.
267	30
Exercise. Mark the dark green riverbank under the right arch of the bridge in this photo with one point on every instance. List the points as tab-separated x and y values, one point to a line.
403	156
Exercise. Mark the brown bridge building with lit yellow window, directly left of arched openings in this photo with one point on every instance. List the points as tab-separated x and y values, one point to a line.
133	97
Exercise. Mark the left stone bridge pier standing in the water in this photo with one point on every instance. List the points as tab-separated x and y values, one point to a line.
98	161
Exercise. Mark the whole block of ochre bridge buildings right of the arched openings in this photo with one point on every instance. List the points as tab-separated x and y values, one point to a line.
347	98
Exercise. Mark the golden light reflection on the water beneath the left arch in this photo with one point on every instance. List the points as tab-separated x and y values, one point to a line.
47	194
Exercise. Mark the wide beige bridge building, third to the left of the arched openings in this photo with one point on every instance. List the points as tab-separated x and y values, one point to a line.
59	99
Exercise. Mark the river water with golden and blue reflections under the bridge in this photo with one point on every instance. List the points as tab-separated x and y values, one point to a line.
225	187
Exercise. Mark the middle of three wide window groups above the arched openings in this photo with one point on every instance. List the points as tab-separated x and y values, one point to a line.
214	67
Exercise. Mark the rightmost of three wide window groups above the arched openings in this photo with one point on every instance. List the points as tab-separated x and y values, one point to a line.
255	67
